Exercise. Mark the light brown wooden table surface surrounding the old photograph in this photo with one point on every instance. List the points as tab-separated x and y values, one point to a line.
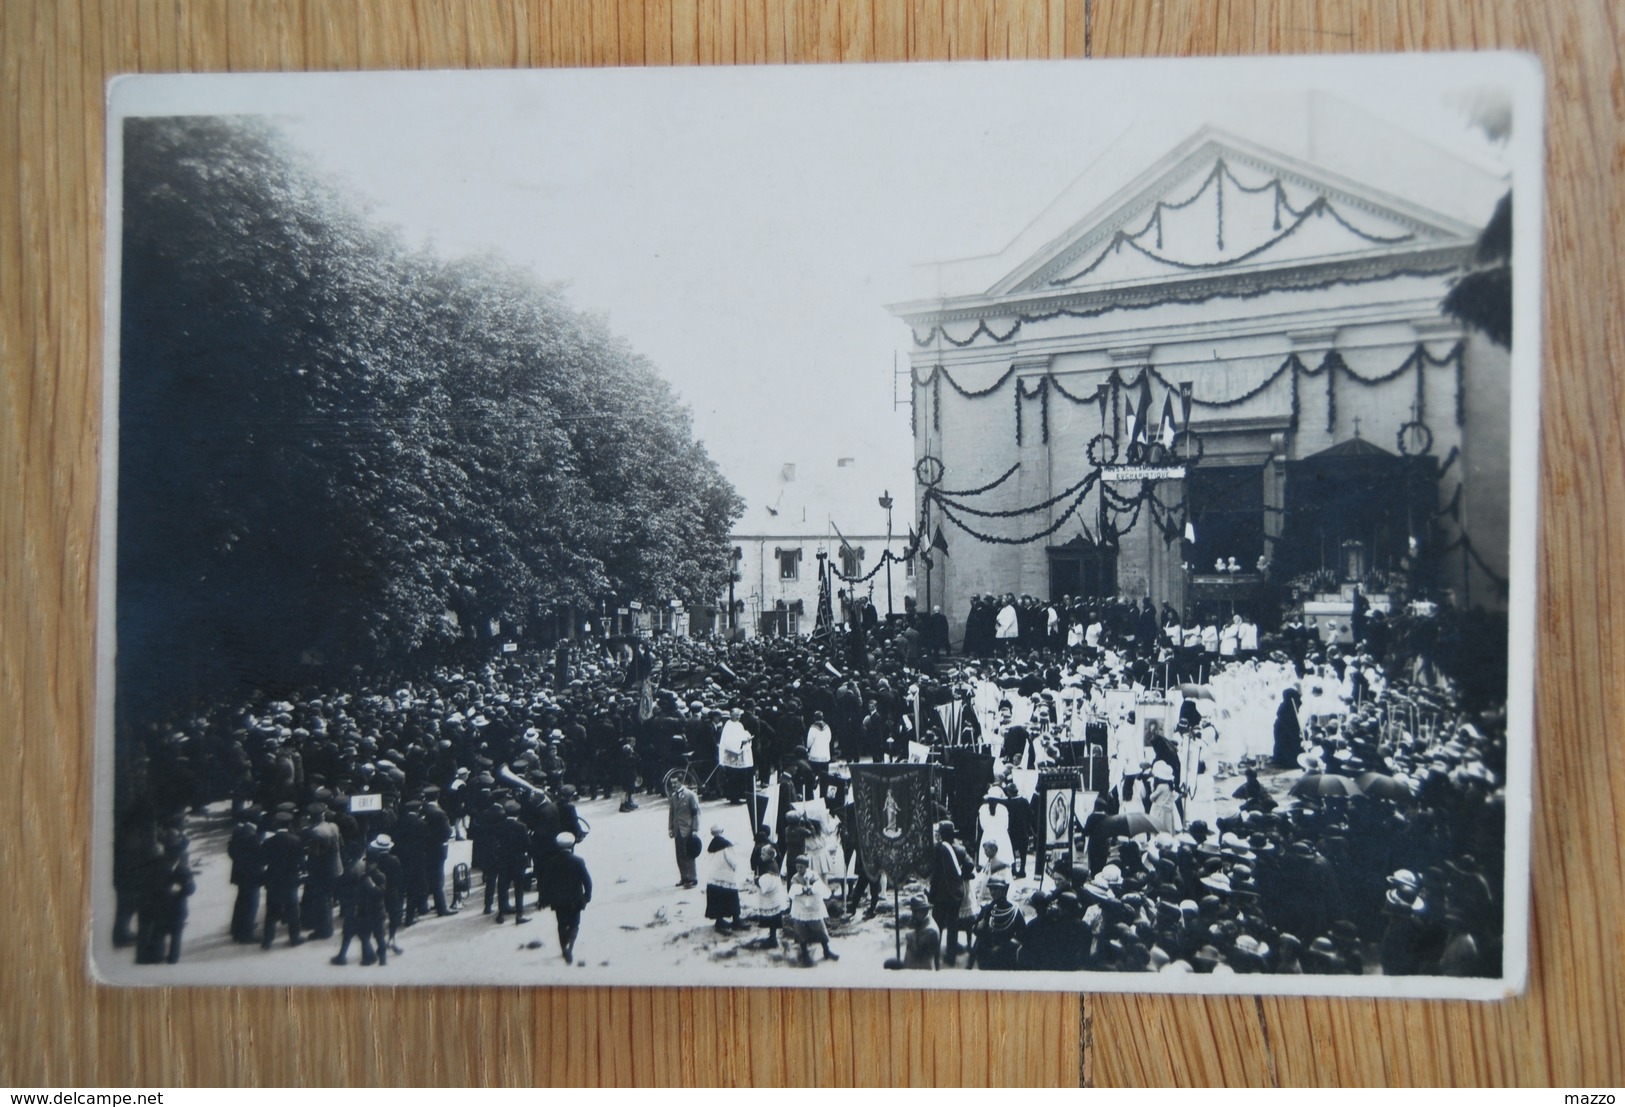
61	1030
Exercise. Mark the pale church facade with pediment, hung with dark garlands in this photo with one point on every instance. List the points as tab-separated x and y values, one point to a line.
1228	384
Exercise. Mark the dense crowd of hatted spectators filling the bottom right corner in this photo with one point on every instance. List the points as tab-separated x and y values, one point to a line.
1337	885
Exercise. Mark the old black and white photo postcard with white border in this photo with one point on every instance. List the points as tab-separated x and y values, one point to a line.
1036	526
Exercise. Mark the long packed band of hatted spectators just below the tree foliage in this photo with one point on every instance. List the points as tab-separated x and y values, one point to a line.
561	719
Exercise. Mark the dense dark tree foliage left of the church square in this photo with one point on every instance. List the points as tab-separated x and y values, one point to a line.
336	451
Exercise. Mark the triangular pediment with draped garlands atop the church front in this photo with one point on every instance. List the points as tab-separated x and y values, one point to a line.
1220	204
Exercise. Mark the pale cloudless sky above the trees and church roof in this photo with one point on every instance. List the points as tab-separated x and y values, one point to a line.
747	228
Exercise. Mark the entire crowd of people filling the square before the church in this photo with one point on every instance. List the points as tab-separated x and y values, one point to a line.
1363	833
